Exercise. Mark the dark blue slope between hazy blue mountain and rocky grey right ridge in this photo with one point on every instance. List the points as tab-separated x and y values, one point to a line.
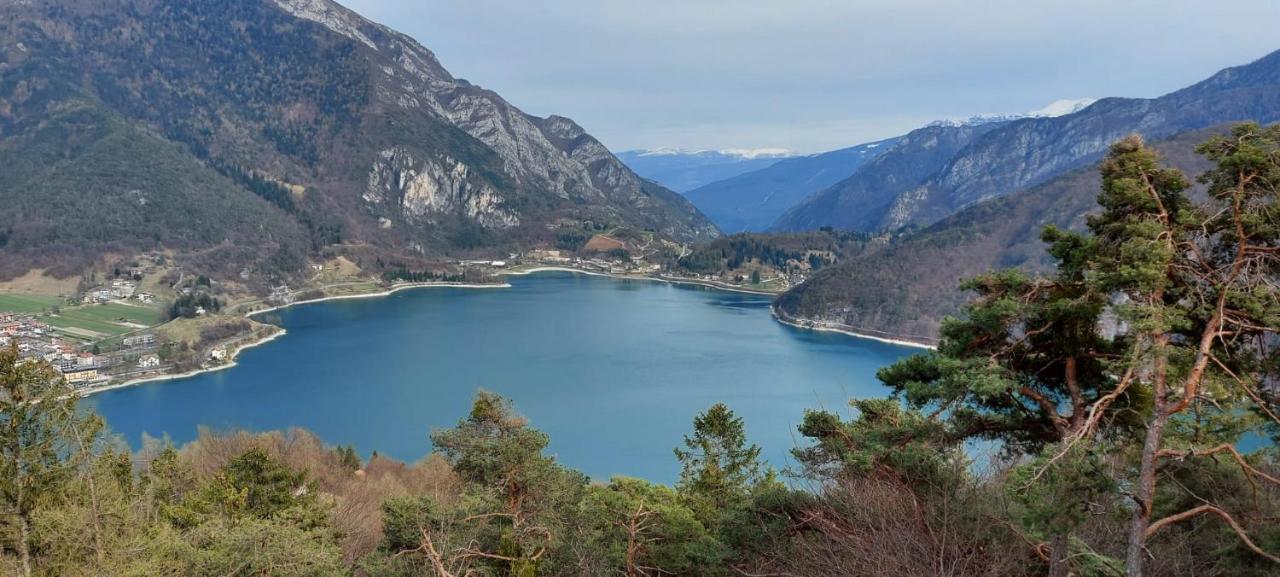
858	202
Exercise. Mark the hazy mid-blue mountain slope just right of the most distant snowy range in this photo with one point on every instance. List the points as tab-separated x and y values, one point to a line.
755	200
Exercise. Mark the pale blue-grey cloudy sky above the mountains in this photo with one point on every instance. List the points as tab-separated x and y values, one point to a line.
820	75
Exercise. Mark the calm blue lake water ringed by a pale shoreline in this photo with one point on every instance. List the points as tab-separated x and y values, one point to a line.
612	370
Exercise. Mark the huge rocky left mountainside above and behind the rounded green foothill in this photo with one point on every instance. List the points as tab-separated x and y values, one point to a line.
378	145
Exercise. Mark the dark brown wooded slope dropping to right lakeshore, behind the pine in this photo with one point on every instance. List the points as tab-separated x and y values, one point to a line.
903	290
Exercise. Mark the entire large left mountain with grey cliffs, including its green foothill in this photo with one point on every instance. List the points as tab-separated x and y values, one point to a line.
258	134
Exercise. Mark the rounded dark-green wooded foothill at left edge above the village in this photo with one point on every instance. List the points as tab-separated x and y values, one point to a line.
83	182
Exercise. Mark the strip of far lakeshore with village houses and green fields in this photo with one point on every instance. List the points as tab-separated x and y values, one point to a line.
150	319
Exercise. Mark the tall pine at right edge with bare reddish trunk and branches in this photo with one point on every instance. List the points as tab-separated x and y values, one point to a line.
1201	299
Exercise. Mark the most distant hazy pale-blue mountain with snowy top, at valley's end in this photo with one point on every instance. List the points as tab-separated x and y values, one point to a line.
685	171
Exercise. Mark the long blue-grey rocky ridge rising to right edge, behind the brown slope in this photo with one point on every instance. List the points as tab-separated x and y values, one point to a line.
1025	153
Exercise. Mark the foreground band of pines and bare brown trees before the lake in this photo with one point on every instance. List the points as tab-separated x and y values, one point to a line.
1130	401
